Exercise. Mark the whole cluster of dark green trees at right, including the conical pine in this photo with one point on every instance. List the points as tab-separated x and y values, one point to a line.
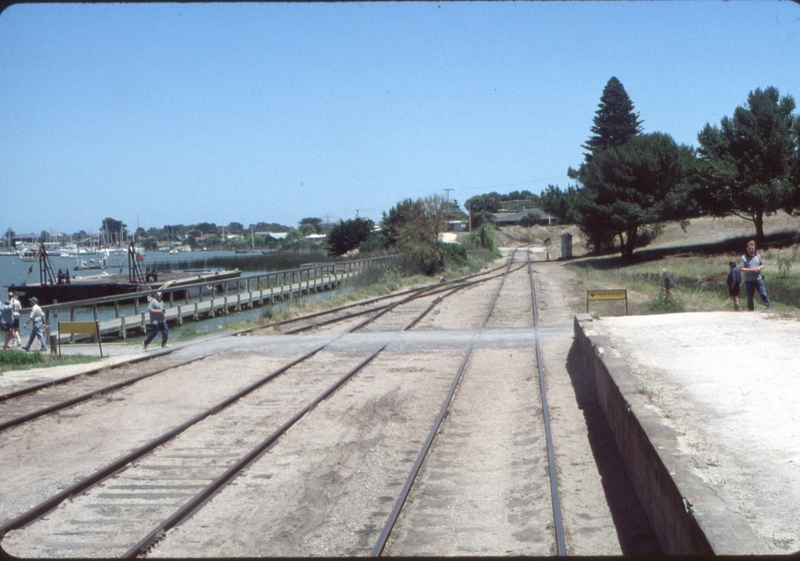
630	182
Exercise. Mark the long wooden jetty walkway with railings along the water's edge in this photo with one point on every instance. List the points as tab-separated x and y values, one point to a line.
208	297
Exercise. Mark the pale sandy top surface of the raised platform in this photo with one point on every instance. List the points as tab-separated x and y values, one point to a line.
729	386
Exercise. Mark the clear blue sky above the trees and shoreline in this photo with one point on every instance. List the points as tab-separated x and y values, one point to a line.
182	113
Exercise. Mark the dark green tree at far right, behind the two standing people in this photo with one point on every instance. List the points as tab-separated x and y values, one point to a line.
750	162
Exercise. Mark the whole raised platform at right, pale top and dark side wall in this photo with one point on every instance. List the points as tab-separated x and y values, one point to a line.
705	408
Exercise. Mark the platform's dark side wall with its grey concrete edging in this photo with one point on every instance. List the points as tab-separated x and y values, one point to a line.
688	517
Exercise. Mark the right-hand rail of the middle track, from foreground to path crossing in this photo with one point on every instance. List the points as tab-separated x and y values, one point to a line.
220	482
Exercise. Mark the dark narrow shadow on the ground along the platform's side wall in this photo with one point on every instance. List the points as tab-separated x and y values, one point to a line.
636	535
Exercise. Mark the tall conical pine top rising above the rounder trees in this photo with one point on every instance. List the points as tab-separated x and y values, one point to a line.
615	122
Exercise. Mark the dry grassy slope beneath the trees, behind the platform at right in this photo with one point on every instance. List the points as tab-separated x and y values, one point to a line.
697	261
